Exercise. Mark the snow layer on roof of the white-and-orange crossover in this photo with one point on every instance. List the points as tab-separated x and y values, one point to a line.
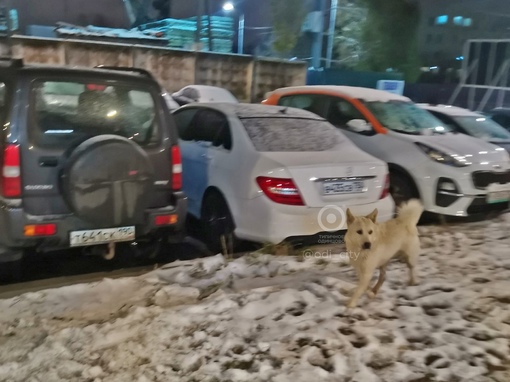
366	94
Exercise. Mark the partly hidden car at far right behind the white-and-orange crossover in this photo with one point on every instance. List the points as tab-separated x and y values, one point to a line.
470	123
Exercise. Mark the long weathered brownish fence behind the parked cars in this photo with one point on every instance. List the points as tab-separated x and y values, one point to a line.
246	77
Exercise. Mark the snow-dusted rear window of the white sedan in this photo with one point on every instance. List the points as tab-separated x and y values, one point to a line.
280	134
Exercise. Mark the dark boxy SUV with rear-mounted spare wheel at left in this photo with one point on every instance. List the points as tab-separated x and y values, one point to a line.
89	158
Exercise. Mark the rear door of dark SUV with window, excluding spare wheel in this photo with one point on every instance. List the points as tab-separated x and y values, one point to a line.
66	110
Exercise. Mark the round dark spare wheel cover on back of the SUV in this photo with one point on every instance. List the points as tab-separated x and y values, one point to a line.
108	181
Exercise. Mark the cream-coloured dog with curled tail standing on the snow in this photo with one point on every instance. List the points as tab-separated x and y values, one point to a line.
377	243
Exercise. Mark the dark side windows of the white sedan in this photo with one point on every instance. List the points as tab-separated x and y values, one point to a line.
209	126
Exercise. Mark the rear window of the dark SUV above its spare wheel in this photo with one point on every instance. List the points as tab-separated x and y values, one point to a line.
64	112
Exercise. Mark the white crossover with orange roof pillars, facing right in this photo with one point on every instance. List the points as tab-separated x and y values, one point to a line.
453	174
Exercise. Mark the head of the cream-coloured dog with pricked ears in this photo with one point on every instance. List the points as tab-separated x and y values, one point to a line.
361	231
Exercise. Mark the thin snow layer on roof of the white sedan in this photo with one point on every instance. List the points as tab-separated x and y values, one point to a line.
251	110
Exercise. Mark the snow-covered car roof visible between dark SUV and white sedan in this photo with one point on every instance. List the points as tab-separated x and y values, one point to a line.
200	93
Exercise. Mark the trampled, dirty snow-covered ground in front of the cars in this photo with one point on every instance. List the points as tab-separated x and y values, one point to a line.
264	318
